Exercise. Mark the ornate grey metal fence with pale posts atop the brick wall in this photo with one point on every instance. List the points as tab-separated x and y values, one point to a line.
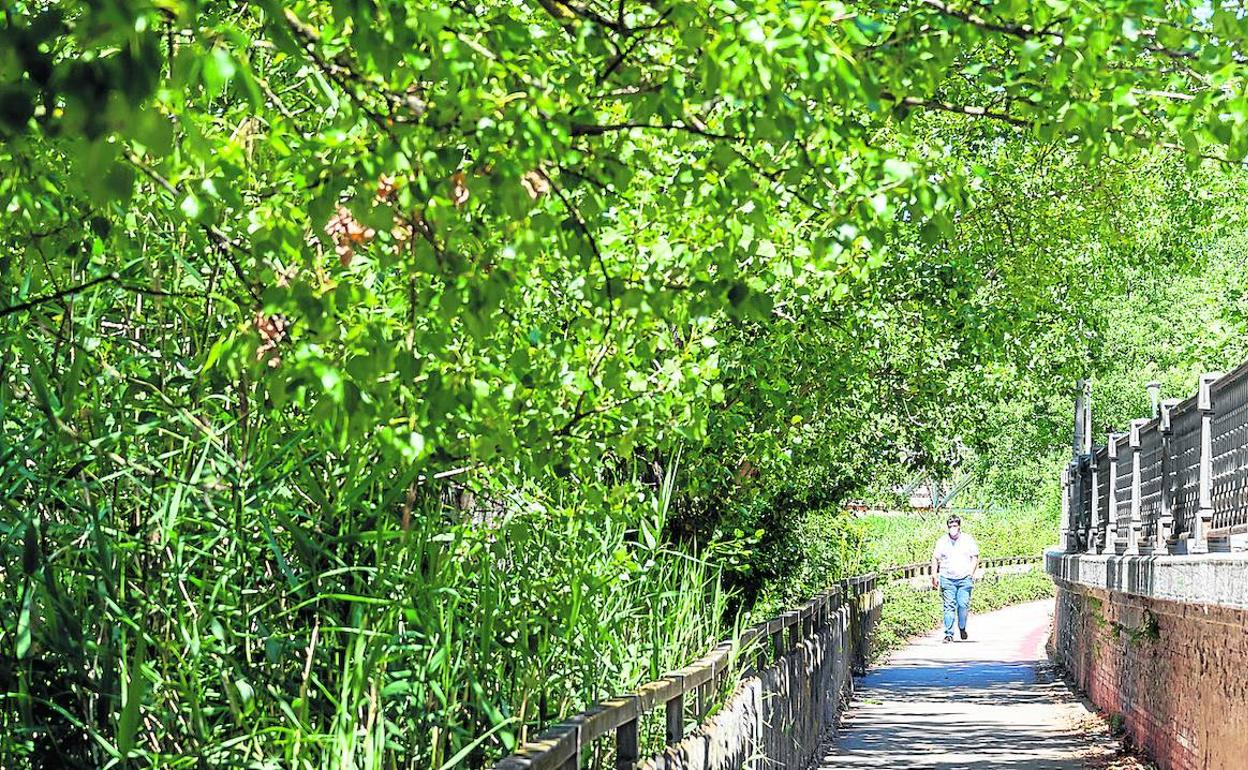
1175	484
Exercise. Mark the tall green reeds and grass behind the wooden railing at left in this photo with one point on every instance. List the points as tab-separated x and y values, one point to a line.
194	592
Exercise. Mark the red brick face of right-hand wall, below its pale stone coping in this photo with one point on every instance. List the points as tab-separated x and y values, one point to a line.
1176	673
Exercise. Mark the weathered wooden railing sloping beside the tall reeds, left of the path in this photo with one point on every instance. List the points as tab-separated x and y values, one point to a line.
692	688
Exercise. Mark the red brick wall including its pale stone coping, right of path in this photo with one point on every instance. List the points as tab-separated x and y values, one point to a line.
1163	643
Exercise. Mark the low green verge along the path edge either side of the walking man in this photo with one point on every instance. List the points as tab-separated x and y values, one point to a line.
909	613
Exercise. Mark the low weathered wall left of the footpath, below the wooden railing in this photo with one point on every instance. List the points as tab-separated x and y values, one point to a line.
779	717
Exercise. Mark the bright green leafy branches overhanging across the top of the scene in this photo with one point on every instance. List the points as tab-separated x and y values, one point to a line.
476	231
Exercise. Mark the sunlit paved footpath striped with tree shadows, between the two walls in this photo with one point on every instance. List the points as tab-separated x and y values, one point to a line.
990	703
